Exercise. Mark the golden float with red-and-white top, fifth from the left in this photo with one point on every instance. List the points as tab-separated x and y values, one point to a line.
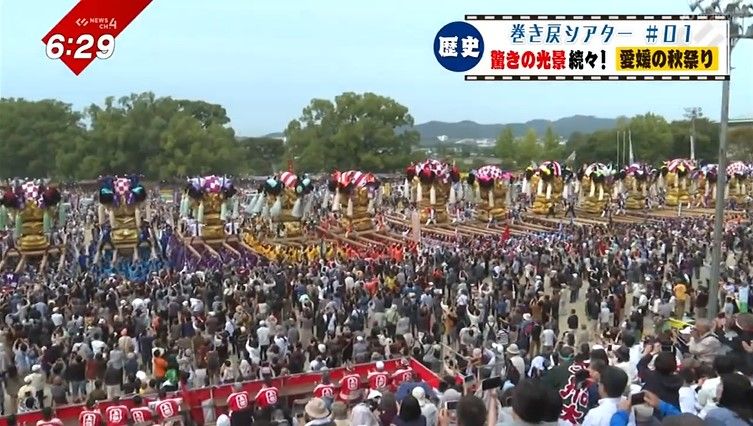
353	194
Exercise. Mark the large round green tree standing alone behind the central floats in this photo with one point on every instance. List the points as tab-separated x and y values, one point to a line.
357	131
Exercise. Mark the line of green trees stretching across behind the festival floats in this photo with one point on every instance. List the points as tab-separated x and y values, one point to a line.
166	138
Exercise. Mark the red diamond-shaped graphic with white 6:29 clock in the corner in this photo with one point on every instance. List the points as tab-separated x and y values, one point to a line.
89	30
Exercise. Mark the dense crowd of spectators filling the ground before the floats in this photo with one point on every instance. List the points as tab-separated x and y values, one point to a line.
596	324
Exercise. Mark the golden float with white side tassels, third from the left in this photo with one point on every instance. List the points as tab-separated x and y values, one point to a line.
209	204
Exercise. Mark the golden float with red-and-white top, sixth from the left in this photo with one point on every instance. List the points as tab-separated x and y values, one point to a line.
431	185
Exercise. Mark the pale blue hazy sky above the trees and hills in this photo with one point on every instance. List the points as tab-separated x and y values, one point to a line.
265	60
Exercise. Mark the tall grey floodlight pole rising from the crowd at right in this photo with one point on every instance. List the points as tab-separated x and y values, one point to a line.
738	12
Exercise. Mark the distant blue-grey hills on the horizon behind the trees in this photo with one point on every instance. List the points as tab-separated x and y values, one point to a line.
471	130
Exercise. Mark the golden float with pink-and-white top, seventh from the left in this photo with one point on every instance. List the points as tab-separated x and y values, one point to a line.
491	186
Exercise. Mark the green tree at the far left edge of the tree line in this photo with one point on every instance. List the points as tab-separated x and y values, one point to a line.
34	136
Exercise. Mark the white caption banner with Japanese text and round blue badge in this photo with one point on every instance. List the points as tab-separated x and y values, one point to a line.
575	47
